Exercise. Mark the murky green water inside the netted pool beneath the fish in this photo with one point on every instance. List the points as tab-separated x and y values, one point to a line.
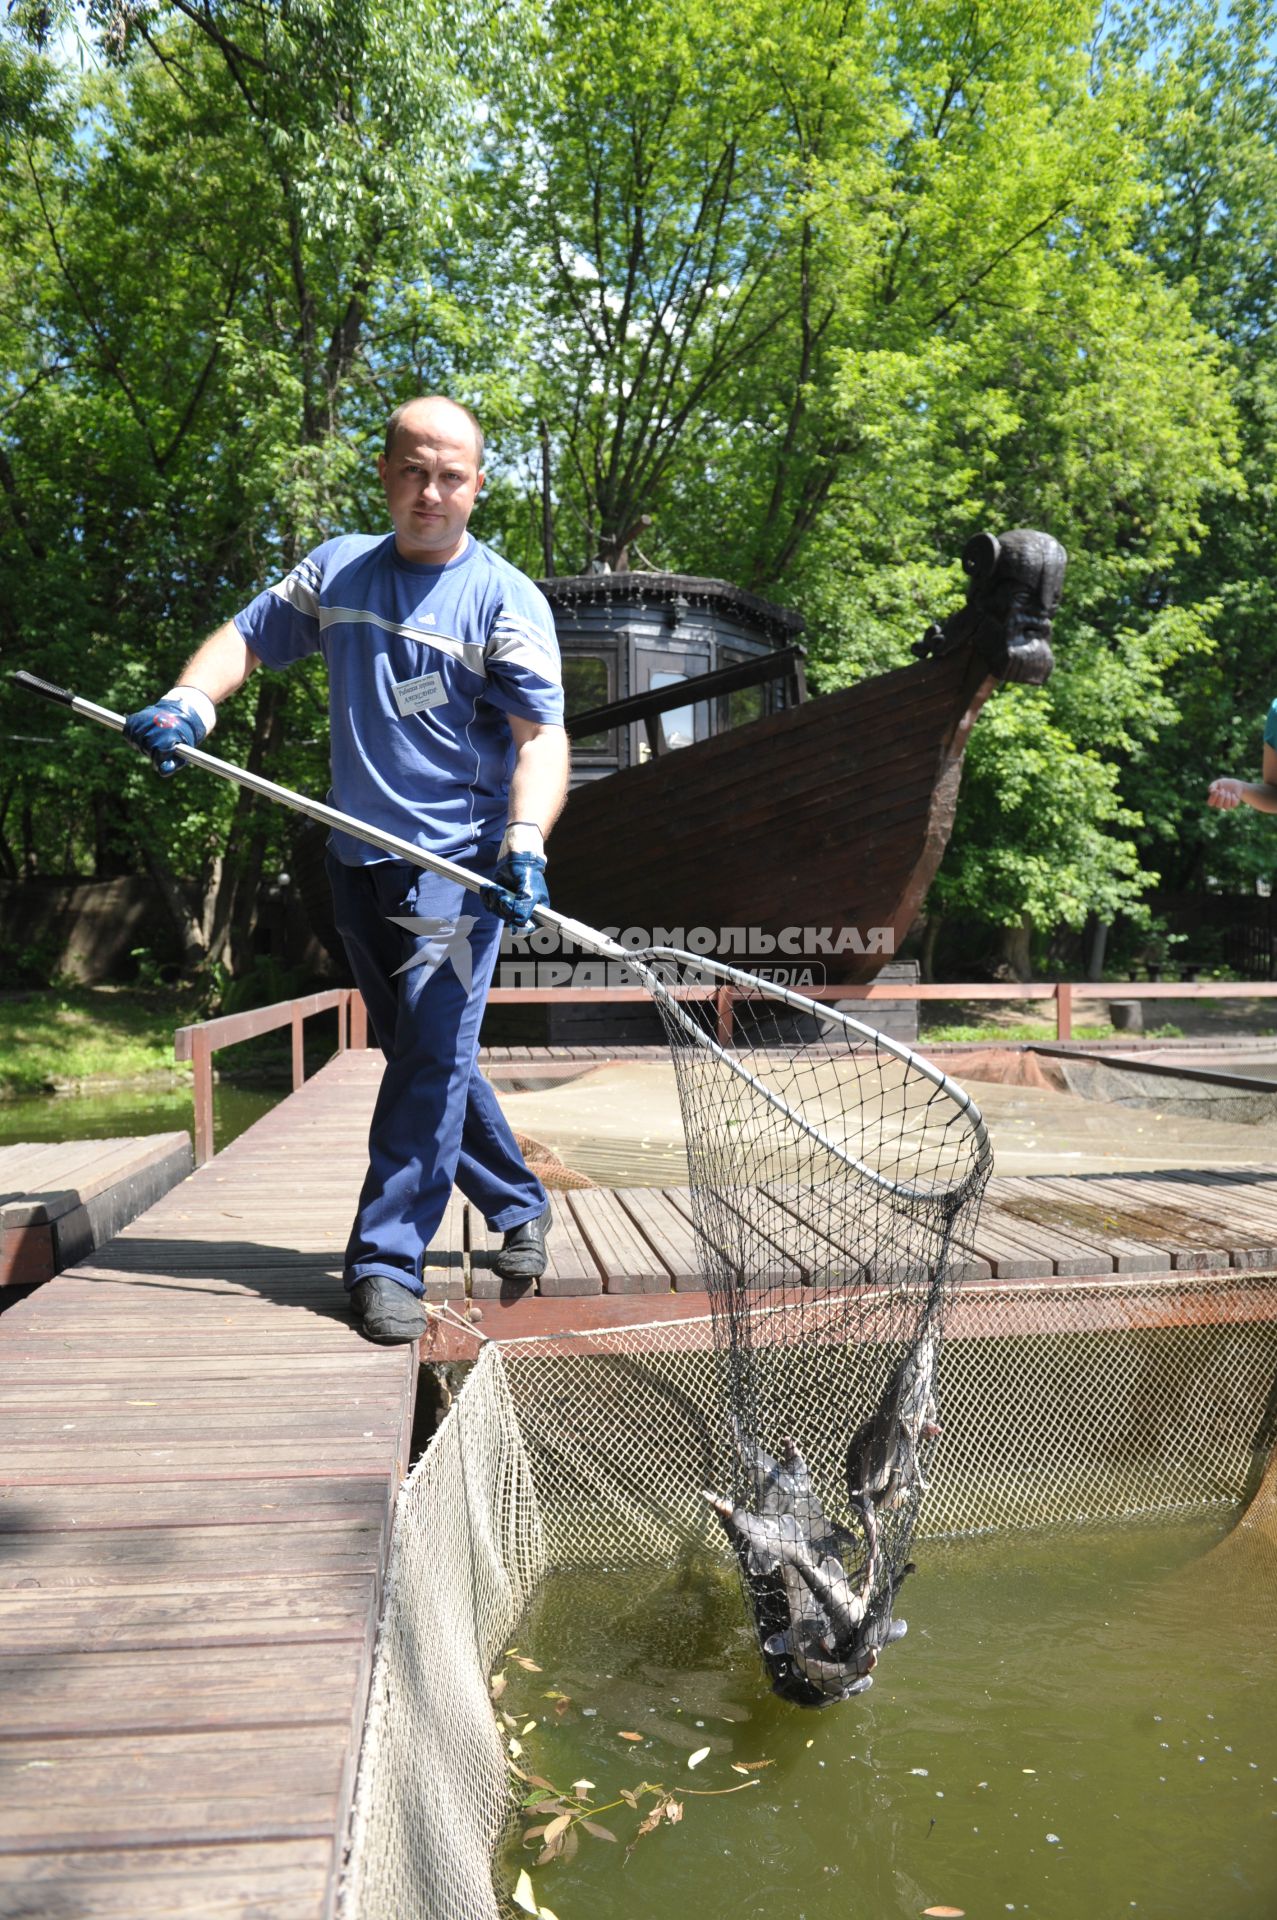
1078	1727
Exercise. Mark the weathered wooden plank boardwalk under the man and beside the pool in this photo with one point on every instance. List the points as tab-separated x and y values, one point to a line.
199	1462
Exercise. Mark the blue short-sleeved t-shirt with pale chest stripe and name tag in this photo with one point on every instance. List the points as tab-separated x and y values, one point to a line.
425	663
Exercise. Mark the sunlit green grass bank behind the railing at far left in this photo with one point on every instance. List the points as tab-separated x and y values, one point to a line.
89	1038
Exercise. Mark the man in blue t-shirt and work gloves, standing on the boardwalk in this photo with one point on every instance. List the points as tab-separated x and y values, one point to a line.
446	719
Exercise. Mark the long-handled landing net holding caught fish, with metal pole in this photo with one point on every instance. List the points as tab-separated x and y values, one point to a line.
834	1176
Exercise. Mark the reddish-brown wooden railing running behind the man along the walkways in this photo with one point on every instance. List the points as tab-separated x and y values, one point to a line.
203	1042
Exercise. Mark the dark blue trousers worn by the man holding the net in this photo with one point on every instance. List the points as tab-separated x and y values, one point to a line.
437	1120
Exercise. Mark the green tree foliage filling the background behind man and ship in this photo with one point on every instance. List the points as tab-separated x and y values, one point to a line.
798	295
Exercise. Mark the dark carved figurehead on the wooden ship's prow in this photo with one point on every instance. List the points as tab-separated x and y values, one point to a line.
1015	585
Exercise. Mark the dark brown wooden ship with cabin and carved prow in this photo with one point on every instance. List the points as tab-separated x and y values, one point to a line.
711	792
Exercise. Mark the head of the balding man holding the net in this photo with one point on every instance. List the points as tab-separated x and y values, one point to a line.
431	481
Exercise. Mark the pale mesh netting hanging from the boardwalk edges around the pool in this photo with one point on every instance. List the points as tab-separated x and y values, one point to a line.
1061	1404
